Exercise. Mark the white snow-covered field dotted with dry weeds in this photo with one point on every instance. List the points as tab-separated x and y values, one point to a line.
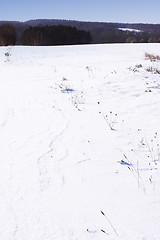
79	143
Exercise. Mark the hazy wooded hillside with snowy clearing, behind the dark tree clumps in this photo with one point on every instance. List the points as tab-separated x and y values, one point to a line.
101	32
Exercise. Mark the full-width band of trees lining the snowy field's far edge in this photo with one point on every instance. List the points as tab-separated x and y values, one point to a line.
49	35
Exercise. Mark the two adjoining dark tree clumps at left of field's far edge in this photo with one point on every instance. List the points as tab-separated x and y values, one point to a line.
44	36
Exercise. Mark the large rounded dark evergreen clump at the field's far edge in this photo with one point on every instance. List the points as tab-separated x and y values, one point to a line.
54	35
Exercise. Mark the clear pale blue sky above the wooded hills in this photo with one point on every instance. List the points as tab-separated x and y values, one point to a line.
125	11
